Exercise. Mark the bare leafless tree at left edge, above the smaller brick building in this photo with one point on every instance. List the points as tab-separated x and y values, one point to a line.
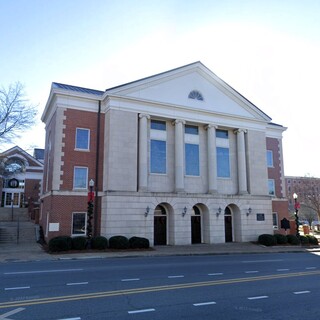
16	112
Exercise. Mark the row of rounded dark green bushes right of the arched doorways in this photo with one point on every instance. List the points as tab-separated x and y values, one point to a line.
272	240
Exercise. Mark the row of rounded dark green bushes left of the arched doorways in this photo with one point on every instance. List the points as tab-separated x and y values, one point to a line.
66	243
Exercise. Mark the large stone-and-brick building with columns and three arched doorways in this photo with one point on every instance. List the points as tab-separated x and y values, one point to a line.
179	158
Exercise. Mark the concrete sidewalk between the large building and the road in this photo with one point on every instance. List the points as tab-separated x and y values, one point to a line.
34	252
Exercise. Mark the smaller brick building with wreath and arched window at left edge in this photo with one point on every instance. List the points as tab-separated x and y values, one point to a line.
21	179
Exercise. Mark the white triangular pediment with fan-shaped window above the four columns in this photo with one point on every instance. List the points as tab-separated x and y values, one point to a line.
192	86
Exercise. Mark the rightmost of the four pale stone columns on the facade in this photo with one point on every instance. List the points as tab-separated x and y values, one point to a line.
242	168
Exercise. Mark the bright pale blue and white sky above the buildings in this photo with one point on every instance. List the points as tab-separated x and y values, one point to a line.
267	50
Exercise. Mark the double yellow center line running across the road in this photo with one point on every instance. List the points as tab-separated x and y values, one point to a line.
104	294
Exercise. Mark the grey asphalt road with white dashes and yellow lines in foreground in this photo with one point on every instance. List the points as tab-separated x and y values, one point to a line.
271	286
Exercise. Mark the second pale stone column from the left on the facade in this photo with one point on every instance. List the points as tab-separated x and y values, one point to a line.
179	155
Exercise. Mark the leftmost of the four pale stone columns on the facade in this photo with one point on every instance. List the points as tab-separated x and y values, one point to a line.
143	151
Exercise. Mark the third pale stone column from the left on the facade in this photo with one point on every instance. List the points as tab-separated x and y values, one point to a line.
212	158
